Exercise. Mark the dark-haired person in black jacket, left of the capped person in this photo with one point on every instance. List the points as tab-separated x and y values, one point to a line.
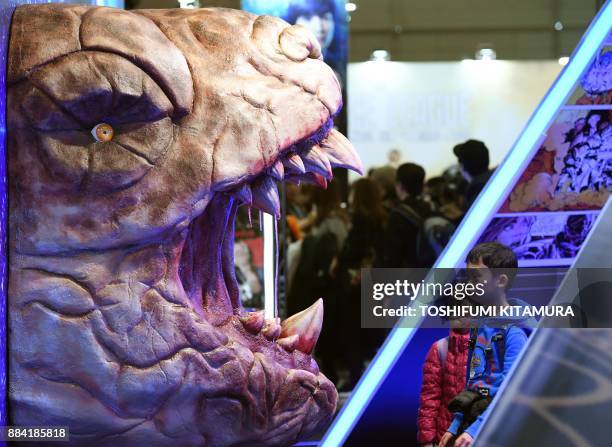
401	234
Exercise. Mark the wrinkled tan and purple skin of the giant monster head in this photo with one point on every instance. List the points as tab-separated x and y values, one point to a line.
124	317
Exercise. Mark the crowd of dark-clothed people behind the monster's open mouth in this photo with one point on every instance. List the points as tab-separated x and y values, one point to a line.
393	218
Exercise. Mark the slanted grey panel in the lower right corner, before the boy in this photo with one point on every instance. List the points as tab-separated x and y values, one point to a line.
564	366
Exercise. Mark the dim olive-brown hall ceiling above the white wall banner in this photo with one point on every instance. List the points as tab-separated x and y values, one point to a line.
414	30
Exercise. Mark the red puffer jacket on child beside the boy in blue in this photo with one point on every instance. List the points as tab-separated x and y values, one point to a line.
443	379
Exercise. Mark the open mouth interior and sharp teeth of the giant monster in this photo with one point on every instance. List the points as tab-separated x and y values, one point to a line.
206	268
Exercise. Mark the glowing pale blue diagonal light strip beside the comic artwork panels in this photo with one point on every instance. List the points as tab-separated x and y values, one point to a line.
487	203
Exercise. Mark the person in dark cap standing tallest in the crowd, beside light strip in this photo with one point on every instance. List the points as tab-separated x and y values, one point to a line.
473	157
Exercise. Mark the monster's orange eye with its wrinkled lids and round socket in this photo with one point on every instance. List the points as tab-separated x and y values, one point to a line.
102	122
